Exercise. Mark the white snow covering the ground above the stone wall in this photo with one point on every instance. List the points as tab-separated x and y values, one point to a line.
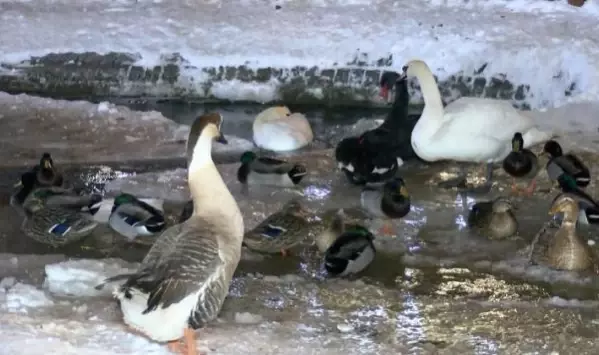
546	44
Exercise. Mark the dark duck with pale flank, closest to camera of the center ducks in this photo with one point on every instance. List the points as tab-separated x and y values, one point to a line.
351	253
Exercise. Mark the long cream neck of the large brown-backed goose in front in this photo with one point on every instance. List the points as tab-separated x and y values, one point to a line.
210	194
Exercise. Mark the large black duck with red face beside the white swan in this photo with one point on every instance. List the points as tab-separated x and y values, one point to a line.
374	156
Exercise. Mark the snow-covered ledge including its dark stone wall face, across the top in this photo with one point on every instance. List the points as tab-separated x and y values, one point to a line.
313	51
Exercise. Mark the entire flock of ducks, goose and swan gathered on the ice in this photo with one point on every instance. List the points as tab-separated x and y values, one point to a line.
181	284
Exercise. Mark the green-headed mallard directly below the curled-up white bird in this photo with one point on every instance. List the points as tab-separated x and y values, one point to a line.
269	171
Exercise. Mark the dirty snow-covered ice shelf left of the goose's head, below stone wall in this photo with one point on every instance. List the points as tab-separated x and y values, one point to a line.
80	131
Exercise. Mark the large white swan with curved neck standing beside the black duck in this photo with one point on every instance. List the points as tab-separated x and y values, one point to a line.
469	129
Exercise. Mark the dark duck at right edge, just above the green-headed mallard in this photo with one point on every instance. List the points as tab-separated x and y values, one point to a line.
560	163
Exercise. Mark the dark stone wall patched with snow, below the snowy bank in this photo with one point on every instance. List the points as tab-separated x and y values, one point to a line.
90	75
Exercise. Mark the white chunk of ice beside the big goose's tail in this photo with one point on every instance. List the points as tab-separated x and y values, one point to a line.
76	278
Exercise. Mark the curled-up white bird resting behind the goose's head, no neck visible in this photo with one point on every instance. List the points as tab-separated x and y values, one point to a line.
279	130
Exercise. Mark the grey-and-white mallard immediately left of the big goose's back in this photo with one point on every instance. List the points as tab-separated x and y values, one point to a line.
132	217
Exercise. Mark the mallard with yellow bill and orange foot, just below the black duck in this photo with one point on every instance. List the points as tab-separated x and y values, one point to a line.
392	201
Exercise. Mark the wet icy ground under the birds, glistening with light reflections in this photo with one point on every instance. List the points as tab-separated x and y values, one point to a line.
434	288
